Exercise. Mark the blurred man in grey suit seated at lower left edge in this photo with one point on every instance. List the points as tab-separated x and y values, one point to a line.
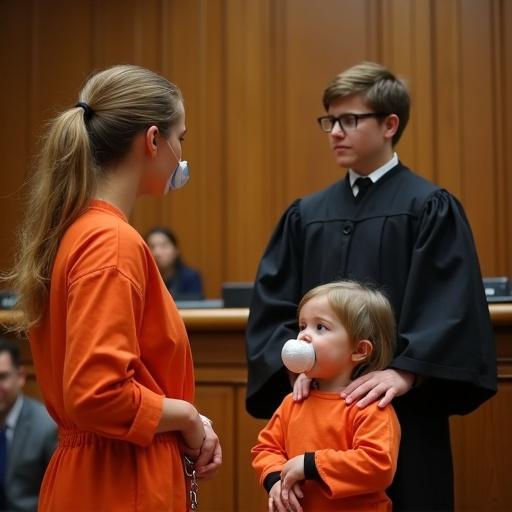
27	436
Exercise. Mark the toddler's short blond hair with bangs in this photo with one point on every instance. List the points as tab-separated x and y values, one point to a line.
366	314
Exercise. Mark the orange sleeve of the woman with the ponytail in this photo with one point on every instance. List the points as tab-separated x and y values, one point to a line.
102	355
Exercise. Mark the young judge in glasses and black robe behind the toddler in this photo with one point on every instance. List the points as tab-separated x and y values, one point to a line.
382	224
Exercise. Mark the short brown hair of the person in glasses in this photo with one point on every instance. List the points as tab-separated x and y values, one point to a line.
380	89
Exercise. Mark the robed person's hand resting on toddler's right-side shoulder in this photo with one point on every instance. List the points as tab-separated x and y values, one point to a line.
384	385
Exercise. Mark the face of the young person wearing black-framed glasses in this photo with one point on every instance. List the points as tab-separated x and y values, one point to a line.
367	147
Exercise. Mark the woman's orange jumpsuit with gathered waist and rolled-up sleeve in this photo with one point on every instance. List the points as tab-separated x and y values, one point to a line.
109	348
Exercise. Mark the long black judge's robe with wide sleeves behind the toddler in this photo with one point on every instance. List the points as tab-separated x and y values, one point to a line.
412	240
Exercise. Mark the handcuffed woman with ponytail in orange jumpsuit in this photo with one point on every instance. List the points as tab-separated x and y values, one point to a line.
110	349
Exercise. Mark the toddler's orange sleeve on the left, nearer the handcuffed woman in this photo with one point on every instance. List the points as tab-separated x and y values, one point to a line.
269	453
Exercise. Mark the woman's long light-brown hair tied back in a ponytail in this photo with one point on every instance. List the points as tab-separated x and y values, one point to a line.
78	147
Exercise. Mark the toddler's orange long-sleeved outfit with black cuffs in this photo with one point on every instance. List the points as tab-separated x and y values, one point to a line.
355	451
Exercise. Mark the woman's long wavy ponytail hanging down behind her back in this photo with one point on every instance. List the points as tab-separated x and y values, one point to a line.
58	192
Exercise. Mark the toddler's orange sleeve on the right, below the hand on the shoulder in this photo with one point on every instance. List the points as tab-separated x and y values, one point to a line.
369	466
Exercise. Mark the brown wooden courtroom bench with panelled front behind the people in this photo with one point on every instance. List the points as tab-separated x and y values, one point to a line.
482	441
